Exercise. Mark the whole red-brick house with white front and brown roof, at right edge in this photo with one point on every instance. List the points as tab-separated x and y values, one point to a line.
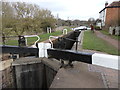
110	15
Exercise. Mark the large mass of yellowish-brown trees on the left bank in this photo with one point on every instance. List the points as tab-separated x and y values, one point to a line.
22	17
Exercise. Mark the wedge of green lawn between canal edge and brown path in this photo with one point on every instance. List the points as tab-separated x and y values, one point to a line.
92	42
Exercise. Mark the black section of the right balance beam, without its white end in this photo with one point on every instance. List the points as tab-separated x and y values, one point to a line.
70	55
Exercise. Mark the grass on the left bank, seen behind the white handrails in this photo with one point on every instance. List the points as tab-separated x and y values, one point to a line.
43	37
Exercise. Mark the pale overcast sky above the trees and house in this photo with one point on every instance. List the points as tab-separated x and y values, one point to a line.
71	9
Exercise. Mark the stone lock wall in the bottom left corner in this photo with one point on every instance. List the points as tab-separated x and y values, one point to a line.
6	73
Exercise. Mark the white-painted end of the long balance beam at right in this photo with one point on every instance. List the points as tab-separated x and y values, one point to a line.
109	61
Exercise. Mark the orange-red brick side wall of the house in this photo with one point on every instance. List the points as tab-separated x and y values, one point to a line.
112	17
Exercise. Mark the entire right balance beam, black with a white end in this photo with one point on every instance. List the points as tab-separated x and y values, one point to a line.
105	60
